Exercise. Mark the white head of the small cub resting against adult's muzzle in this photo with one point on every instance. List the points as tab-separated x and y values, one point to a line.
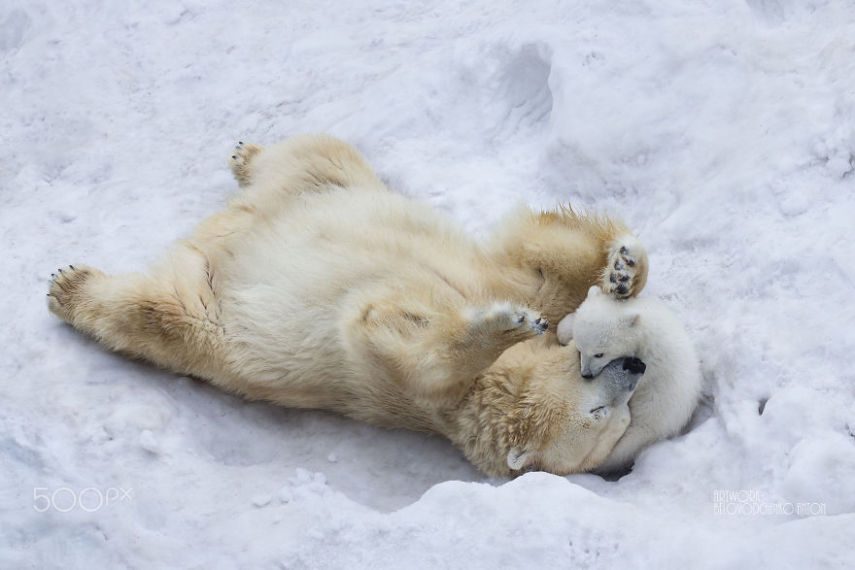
603	328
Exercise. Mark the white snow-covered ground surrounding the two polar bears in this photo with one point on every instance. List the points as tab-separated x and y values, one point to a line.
723	132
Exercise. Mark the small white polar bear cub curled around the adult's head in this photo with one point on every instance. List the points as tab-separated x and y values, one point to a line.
604	328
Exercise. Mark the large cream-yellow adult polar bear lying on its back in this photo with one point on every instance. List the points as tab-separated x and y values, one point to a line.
316	287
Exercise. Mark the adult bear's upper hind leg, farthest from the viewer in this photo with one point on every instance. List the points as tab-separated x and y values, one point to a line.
300	164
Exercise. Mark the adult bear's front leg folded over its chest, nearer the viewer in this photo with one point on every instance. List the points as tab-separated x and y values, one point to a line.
440	356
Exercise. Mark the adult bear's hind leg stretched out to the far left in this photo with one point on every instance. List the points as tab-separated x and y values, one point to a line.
164	318
